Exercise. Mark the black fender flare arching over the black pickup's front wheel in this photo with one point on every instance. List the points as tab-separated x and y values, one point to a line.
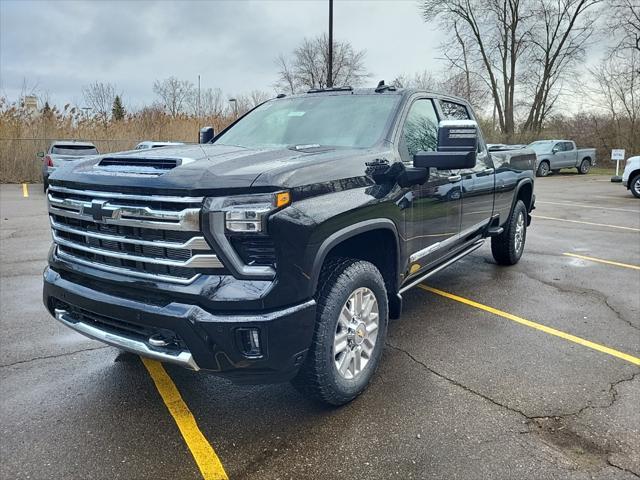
348	232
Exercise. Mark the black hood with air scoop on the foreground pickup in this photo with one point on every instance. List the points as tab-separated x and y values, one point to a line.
210	169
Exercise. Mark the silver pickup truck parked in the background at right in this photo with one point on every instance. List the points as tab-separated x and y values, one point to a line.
554	155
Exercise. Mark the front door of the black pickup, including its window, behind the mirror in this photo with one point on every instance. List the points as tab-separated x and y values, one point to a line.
432	210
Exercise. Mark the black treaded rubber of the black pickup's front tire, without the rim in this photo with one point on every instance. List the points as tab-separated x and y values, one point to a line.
318	377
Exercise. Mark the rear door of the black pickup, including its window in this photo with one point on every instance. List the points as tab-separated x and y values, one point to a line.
478	183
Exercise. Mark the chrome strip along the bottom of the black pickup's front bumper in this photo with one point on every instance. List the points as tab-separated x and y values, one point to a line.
182	358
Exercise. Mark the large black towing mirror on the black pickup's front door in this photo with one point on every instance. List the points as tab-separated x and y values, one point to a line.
457	147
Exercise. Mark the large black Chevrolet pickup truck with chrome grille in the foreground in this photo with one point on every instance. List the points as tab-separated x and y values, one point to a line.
279	249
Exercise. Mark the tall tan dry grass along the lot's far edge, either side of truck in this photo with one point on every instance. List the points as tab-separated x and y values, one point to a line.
23	135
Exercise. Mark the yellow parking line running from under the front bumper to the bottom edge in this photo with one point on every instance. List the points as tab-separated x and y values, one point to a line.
202	451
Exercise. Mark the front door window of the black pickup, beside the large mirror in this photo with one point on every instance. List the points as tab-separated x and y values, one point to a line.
420	130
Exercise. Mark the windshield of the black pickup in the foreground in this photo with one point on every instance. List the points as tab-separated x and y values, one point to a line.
314	121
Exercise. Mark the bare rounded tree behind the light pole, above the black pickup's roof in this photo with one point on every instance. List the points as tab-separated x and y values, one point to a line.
307	67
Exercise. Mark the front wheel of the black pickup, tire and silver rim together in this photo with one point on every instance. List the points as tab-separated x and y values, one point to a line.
350	331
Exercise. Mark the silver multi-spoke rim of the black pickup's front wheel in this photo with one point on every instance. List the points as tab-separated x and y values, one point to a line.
356	333
